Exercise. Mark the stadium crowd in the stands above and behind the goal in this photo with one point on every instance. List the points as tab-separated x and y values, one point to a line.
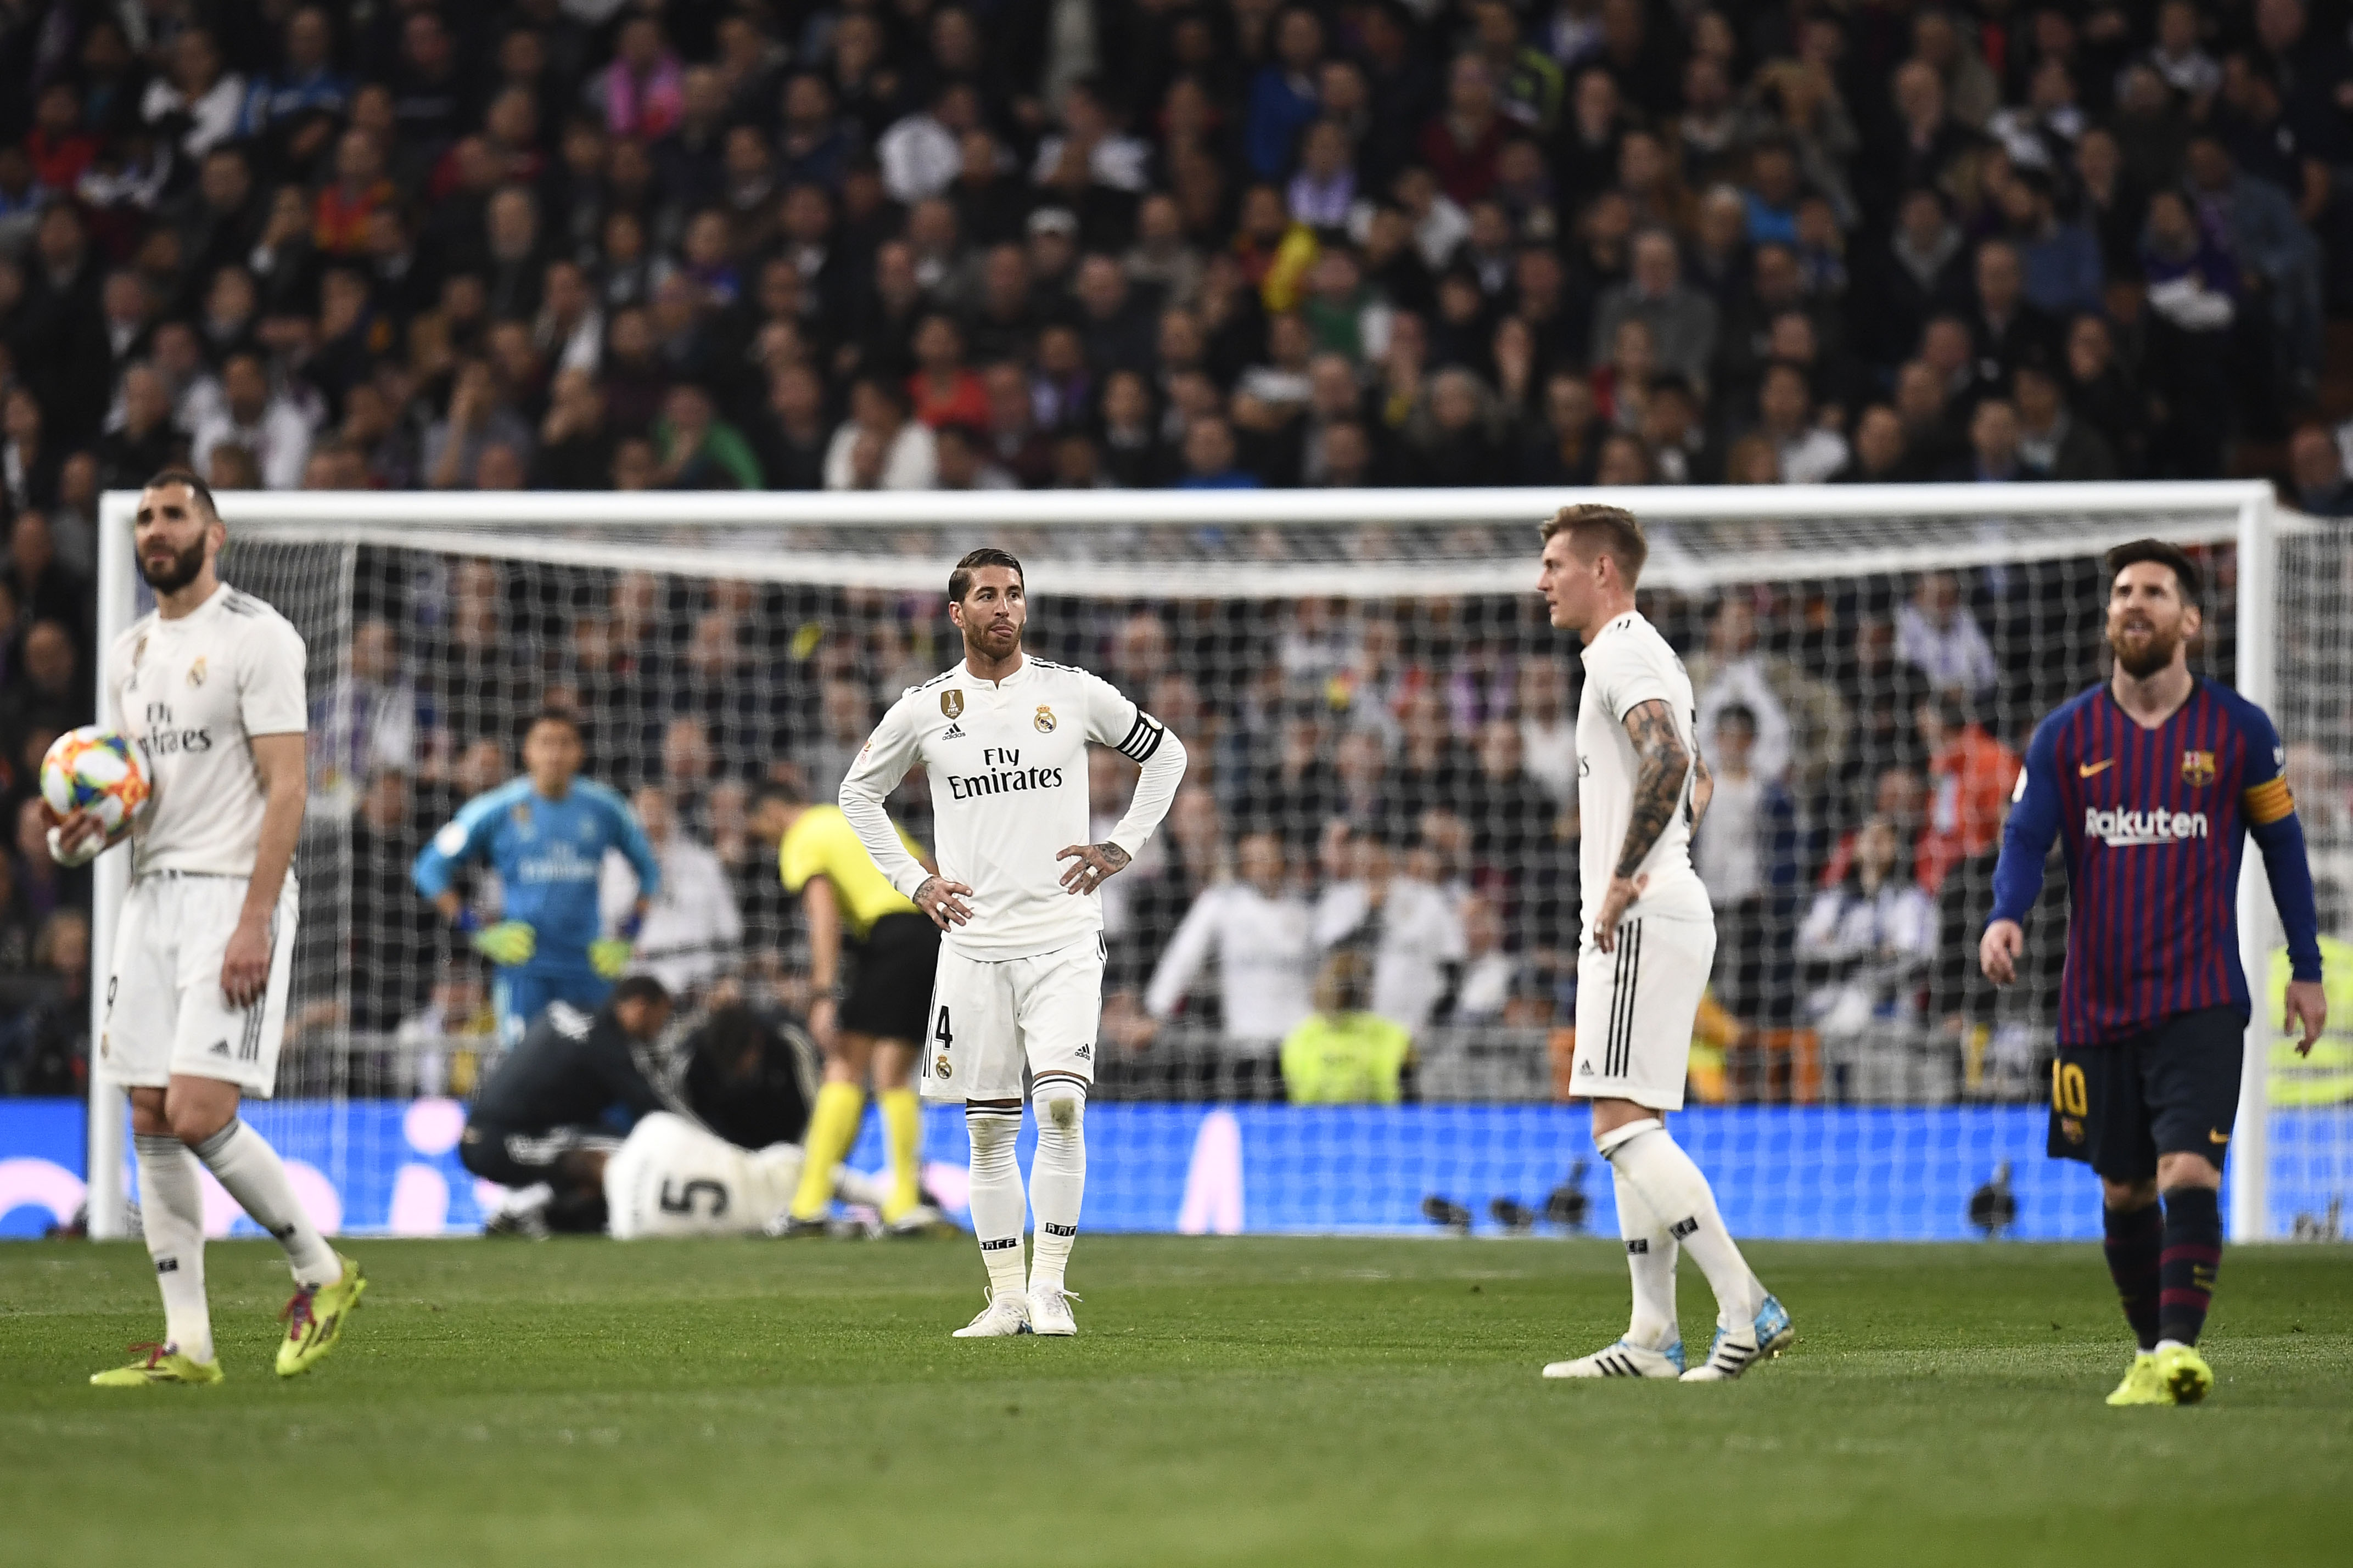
1145	243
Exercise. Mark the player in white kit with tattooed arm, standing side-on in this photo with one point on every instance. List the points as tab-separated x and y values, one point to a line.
1646	953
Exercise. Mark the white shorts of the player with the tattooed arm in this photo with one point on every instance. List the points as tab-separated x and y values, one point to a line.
1637	1007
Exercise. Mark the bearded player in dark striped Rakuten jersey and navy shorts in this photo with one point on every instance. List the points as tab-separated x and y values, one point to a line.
2154	782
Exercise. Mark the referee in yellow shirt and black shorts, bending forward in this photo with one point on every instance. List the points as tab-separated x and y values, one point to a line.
869	1026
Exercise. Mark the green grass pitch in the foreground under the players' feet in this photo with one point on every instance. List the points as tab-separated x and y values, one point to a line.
1227	1402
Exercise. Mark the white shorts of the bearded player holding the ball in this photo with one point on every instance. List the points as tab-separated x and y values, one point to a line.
166	1012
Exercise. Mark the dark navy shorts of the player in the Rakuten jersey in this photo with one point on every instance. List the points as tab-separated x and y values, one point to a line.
2171	1090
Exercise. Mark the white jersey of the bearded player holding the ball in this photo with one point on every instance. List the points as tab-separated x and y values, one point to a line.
194	695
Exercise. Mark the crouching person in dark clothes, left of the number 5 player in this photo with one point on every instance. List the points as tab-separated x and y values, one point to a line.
559	1104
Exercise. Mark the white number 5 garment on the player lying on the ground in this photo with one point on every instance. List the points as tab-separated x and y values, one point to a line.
674	1179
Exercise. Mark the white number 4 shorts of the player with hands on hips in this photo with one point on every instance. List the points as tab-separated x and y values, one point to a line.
996	1017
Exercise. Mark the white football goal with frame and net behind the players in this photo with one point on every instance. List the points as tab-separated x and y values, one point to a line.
1371	699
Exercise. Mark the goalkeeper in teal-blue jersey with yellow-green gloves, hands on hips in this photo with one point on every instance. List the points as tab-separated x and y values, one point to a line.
547	836
